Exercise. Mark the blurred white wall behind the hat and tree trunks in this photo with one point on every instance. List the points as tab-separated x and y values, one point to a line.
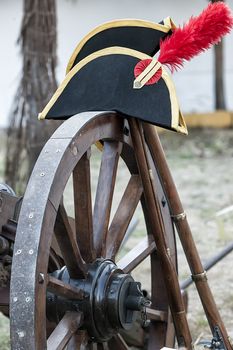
75	18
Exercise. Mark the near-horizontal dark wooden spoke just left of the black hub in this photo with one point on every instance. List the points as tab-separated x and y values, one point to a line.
62	289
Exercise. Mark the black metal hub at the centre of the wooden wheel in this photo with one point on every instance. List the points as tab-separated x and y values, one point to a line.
112	299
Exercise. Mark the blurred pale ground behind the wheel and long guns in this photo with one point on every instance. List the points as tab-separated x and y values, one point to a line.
201	165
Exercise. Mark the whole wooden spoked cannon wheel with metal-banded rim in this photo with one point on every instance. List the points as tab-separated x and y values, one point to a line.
91	302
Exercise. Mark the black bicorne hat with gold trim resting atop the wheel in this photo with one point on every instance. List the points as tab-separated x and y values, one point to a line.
103	81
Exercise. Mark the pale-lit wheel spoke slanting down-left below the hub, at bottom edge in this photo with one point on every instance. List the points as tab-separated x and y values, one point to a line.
64	331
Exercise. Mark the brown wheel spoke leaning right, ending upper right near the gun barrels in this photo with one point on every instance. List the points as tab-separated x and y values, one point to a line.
123	216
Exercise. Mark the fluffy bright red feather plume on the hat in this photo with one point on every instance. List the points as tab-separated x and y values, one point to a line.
198	35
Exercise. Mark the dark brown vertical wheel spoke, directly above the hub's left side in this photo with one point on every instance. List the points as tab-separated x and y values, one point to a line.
83	206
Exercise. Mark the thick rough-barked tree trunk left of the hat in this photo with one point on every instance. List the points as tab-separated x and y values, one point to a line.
26	135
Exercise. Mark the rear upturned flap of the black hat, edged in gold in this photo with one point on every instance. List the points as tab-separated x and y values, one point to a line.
136	34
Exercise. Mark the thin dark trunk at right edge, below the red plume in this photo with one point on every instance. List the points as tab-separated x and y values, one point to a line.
219	74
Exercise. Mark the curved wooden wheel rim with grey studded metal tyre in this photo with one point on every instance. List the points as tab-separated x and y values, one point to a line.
37	218
